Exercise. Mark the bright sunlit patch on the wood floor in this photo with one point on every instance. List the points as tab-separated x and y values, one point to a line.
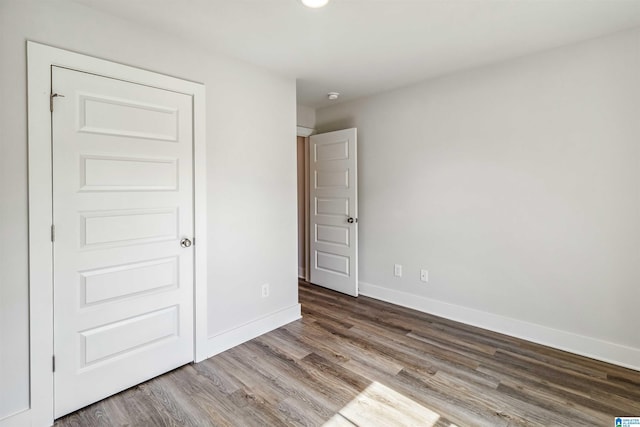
378	405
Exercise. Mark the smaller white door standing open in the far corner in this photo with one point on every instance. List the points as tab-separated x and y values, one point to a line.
333	214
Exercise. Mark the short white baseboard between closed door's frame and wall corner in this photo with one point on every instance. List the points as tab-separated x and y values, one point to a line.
236	336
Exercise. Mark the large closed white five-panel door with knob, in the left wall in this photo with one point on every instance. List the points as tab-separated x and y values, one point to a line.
123	218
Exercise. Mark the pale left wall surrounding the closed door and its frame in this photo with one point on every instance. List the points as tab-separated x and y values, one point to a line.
251	120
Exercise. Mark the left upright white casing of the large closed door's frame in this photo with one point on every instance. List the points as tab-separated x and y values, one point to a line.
40	248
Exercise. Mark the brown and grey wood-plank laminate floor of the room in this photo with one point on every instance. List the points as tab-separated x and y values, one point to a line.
362	362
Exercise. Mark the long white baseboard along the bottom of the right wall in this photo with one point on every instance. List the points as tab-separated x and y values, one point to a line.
594	348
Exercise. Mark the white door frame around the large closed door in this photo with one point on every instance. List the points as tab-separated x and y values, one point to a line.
40	59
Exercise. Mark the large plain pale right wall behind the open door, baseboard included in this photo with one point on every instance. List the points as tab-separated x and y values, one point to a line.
517	186
